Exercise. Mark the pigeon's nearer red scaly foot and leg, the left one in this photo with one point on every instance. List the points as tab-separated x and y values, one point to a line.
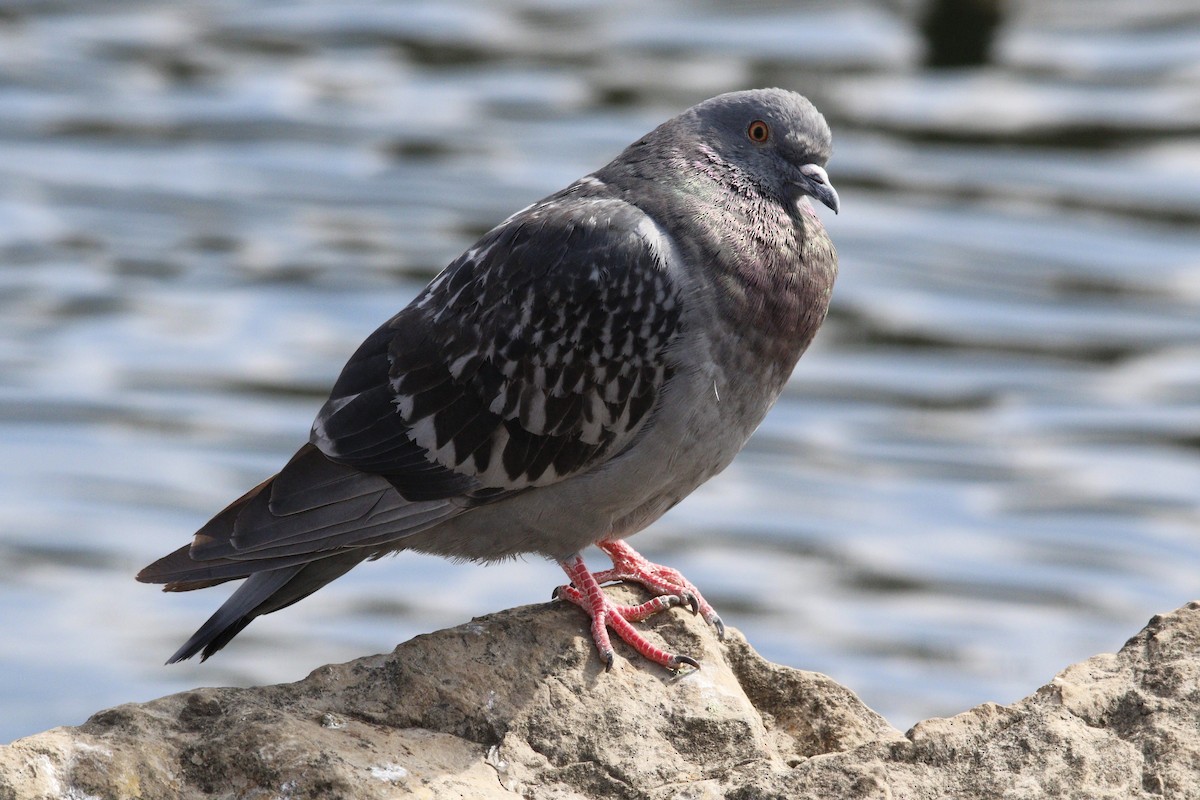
586	593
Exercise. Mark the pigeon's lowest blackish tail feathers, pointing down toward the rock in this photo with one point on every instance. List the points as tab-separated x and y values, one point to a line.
262	594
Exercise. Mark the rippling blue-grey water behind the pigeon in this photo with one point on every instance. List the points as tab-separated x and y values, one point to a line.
986	470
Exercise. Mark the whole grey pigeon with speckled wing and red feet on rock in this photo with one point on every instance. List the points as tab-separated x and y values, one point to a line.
574	375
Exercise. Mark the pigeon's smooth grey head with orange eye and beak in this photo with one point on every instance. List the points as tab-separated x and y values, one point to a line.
776	139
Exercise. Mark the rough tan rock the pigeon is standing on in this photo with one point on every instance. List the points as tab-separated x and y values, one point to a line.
517	703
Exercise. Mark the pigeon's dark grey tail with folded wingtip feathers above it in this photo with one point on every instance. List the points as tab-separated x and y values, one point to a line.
289	538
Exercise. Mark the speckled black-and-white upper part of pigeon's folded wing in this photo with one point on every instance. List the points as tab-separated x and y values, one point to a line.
536	356
